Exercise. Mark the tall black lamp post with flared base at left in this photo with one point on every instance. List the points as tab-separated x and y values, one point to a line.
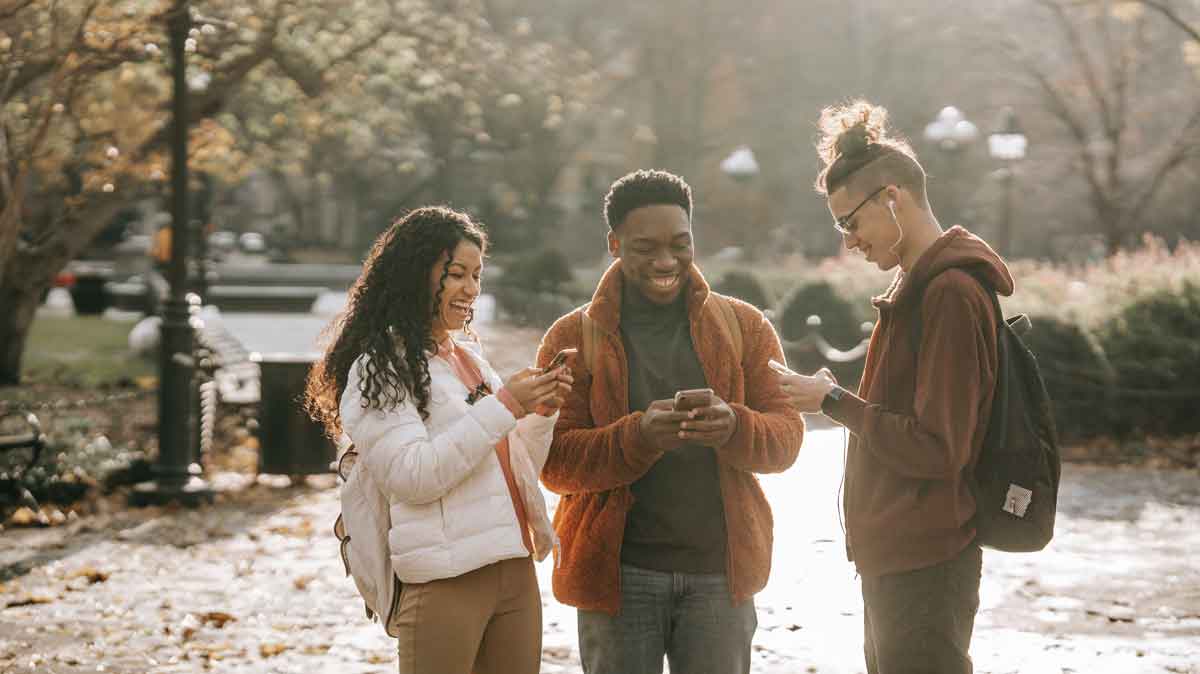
173	480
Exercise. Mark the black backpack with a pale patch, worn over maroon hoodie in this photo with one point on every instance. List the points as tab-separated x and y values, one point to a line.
1016	483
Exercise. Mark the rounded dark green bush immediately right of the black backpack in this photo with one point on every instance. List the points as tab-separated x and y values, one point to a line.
1078	376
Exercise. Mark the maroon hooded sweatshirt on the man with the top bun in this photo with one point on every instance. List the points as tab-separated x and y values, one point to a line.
922	411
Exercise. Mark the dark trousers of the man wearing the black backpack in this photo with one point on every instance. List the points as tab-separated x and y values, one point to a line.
921	622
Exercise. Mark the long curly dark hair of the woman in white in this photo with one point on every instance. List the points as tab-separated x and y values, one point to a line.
389	318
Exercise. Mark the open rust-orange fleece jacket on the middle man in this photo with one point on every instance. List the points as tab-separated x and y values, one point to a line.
598	449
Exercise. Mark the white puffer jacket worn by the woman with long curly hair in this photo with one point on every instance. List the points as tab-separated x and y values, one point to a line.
449	504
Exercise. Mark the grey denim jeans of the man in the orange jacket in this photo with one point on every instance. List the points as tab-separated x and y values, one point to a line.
689	618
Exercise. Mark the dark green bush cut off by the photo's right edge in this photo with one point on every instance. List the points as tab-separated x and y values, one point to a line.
1154	348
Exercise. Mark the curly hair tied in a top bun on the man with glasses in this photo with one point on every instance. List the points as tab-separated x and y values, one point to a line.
860	149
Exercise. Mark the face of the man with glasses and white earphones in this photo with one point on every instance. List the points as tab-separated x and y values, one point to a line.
872	228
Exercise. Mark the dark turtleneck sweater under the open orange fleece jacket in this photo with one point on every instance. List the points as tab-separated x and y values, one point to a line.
677	522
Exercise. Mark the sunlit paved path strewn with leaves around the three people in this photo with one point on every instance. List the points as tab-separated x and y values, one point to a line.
255	585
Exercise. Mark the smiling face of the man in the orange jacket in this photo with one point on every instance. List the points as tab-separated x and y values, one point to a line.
656	248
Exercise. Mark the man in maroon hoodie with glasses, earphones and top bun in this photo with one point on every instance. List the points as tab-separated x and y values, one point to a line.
919	420
